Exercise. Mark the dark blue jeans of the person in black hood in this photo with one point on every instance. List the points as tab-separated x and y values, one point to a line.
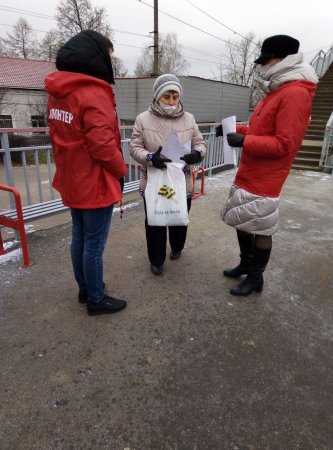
89	234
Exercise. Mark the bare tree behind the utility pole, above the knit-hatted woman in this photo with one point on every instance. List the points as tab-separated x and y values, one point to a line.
171	58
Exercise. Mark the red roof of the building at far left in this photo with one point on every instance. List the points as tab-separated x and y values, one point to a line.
22	73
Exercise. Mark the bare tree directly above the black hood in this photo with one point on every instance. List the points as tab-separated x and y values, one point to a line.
74	16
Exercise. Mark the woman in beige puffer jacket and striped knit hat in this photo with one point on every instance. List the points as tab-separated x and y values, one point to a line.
152	128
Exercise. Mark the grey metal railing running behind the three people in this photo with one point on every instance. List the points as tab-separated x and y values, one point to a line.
30	168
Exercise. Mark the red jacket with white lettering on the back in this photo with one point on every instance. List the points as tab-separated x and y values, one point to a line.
85	139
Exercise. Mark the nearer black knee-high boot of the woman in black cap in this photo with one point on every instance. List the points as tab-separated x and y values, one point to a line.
255	280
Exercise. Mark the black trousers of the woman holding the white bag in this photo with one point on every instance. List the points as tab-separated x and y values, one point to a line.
156	238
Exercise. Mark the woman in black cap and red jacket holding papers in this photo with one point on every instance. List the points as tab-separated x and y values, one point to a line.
270	143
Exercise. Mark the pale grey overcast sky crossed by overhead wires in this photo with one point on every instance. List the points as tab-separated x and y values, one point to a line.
307	20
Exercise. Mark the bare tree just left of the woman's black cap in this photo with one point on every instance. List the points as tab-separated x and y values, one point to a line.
239	67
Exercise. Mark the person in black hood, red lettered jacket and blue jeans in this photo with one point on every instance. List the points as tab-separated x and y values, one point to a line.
87	151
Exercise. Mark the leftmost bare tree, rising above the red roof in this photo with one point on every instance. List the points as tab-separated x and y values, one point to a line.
21	43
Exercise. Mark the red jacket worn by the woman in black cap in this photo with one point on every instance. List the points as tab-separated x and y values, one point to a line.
273	137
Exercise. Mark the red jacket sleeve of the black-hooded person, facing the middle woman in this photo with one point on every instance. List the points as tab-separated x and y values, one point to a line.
100	128
